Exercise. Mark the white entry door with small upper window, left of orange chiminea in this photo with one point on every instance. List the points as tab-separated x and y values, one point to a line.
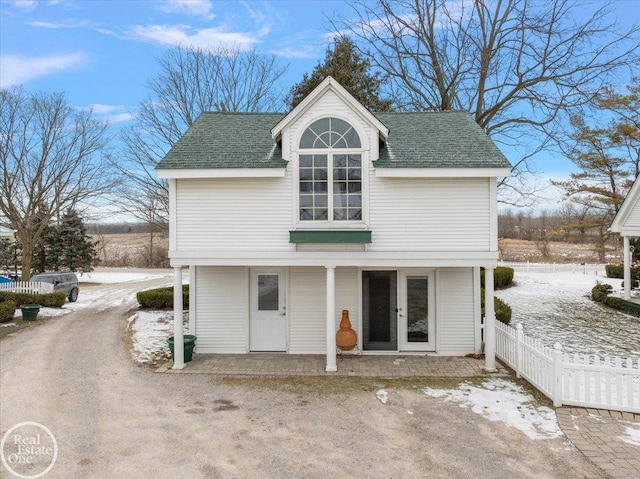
268	319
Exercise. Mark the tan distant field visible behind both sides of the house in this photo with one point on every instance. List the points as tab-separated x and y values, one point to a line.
132	249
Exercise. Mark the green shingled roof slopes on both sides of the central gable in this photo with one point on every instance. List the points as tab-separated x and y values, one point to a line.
443	139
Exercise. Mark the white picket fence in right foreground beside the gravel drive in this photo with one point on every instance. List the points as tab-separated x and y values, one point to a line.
570	379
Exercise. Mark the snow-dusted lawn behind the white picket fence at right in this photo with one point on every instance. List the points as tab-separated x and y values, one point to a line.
555	307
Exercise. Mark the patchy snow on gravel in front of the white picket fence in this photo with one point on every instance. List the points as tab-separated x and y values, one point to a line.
501	400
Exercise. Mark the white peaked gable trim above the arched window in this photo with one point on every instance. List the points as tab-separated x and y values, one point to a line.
329	84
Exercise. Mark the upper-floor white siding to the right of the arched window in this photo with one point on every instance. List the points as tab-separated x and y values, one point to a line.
429	214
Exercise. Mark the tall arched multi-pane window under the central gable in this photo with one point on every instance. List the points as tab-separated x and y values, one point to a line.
330	185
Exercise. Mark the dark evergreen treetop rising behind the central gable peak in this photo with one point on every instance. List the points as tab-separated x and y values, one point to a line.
351	70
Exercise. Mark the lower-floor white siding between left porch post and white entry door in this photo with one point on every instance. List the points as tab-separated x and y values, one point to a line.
222	309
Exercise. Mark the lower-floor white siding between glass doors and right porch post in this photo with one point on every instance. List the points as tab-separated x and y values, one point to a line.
455	315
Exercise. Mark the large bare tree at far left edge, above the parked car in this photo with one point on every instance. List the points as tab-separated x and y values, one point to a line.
50	155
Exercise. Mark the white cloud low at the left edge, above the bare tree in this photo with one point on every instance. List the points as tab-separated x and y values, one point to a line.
17	69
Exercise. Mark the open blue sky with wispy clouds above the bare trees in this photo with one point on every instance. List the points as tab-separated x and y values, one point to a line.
102	52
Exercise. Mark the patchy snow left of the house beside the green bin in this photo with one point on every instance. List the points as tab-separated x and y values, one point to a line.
150	331
